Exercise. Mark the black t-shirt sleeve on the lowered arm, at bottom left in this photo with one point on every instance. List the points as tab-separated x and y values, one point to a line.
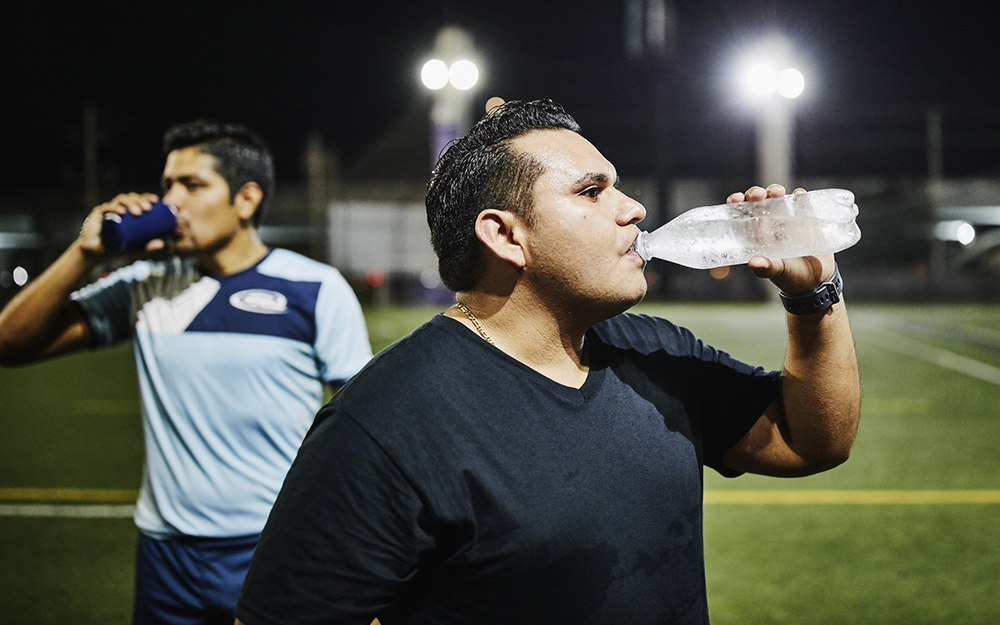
343	537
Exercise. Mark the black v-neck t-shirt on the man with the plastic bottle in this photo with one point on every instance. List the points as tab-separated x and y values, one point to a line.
450	483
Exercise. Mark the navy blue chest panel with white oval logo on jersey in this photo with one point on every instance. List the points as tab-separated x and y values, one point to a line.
251	303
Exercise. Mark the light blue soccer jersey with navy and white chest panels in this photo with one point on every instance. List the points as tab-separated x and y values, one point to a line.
230	371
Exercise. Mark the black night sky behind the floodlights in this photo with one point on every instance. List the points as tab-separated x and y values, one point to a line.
349	69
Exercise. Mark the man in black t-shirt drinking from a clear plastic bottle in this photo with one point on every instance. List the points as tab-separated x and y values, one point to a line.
535	454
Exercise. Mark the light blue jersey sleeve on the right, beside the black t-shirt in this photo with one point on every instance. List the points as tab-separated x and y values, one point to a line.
341	334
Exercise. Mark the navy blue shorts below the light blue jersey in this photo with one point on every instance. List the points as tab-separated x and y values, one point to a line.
185	581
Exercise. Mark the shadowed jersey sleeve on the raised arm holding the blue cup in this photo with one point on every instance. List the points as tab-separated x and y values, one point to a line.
107	306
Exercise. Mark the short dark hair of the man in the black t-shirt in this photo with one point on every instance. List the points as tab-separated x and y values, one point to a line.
483	171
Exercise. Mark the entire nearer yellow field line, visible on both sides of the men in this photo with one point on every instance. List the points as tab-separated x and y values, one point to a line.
780	497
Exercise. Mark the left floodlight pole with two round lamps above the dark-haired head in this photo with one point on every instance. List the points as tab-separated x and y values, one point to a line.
451	76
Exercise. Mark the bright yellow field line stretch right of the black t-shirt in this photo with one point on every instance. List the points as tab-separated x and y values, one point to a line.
859	497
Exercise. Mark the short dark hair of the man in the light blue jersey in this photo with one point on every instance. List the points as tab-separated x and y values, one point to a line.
241	156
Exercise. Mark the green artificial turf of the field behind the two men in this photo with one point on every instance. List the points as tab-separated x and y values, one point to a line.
930	421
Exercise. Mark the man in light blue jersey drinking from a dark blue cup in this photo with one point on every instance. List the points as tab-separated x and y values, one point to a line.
233	341
